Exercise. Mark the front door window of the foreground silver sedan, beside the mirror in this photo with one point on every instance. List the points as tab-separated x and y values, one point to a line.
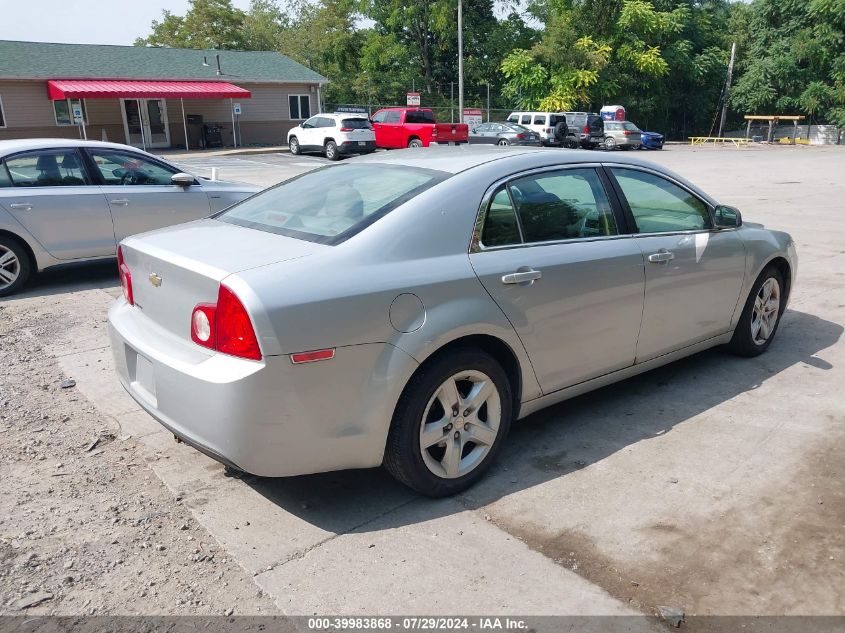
660	206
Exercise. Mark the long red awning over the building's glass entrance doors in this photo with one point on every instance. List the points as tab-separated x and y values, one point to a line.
113	89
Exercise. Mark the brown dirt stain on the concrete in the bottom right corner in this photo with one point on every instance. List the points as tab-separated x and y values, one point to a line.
761	558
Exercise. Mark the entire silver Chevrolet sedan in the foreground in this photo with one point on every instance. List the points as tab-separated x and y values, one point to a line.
403	309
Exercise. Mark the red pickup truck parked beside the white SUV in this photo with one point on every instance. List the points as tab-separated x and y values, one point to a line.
415	127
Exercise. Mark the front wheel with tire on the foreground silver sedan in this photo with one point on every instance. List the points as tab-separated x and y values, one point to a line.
760	316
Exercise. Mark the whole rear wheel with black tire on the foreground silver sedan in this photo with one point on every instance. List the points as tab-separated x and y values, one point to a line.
450	423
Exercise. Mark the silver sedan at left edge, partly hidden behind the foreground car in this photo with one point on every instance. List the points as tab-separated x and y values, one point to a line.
65	201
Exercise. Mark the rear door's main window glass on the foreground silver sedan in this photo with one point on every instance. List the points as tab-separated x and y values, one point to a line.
562	205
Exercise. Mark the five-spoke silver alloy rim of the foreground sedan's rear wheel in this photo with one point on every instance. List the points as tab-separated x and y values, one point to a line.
460	424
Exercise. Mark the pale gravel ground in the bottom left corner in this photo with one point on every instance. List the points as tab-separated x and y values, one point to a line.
85	525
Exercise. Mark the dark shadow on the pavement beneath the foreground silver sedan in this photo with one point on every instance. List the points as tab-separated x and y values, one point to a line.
566	437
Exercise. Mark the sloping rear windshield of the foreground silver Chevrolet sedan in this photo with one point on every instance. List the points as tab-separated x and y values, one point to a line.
332	204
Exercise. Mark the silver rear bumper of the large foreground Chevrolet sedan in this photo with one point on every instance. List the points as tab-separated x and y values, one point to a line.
268	417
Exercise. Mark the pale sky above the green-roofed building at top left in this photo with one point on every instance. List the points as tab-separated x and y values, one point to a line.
85	21
